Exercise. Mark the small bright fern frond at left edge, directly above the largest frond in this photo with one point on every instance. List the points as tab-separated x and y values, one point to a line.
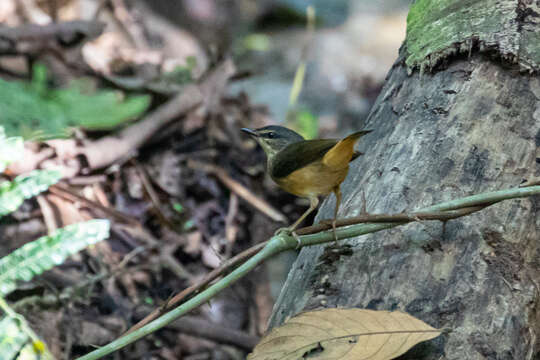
12	194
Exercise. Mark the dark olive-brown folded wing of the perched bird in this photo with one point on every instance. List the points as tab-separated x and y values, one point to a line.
297	155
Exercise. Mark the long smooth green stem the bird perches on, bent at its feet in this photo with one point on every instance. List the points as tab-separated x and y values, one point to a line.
284	242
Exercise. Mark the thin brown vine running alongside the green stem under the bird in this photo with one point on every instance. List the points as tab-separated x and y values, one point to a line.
246	254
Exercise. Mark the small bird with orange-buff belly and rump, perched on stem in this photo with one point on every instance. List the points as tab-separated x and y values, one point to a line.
307	168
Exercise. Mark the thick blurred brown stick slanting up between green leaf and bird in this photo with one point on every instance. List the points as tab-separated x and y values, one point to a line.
110	149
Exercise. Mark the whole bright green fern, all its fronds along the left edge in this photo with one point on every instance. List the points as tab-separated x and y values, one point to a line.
17	340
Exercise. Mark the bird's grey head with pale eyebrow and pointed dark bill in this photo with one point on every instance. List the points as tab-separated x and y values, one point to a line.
273	138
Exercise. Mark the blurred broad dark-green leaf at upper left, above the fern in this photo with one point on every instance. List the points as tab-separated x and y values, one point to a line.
36	111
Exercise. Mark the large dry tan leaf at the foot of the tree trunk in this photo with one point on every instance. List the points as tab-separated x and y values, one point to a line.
344	334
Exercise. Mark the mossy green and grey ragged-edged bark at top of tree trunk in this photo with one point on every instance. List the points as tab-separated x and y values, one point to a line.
437	29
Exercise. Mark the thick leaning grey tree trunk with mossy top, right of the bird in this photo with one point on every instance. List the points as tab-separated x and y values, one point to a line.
471	127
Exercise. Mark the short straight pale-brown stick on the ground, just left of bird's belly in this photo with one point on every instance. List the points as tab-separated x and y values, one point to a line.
239	189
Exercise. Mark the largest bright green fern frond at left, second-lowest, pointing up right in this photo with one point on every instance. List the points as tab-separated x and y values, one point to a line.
48	251
